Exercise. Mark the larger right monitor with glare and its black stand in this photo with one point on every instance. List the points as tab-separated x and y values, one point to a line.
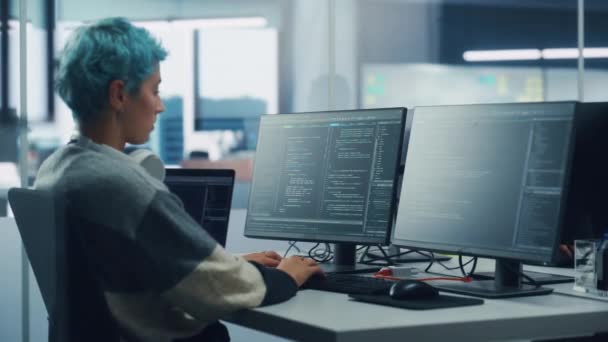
490	181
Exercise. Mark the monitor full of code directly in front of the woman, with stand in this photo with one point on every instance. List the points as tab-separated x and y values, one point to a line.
327	177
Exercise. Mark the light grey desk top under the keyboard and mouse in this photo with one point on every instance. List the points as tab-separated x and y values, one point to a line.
321	316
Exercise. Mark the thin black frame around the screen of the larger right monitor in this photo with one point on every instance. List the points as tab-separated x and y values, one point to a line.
501	253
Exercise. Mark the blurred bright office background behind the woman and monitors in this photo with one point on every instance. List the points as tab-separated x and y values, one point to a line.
233	60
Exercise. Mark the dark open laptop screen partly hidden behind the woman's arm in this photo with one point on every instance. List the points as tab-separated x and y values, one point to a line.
207	196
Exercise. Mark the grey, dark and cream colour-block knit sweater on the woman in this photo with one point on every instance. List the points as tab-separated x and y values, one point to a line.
163	276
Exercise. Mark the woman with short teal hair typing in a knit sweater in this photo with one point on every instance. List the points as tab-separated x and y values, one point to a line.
162	276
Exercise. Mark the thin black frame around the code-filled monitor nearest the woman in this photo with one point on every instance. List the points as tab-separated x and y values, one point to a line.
289	236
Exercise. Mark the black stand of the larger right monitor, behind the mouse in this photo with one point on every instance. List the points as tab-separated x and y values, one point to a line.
507	283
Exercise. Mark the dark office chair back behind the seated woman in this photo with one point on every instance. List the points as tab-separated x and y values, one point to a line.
77	310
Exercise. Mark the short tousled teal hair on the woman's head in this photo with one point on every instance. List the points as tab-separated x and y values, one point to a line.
110	49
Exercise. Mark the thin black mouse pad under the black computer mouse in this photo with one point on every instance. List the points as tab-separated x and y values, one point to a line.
439	302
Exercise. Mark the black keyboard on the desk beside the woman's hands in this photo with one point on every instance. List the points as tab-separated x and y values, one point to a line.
349	284
